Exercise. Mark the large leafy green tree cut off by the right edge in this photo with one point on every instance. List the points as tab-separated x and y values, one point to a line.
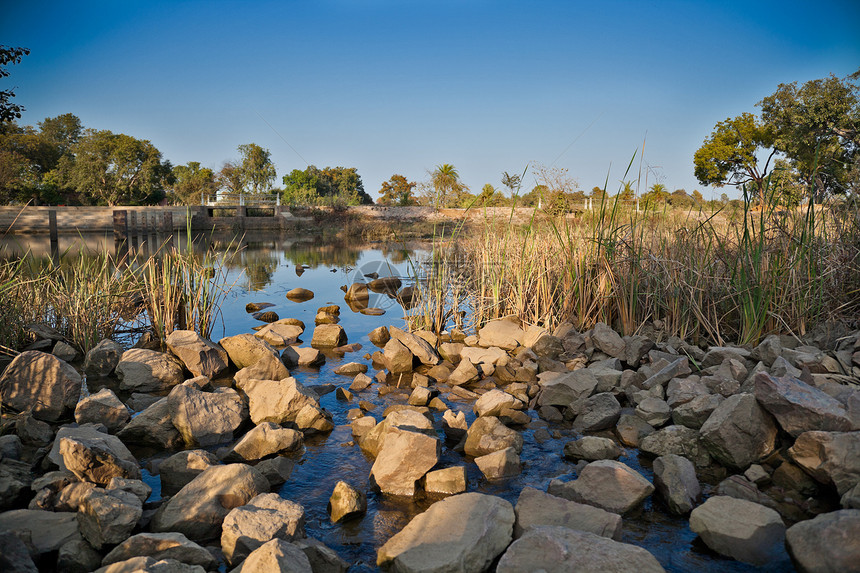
817	127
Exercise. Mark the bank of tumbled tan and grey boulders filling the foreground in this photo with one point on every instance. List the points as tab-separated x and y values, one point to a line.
777	427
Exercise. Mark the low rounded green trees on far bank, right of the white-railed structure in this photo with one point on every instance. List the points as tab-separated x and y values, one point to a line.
335	186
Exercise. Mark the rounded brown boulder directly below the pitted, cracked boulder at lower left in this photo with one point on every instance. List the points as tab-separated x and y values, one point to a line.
108	517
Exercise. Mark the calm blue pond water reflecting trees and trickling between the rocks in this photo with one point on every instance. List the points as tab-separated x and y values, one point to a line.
264	270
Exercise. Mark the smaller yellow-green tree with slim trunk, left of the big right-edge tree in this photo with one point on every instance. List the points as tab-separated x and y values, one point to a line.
729	156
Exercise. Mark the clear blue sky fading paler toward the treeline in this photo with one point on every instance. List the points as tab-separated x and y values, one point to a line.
401	86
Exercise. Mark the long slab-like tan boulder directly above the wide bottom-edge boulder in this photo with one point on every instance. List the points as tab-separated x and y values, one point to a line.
535	508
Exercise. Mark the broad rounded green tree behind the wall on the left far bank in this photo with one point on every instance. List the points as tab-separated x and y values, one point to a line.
115	169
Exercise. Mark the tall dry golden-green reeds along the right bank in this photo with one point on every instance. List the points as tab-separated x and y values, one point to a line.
706	276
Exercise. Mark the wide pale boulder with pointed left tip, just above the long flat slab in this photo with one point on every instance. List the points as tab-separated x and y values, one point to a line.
609	485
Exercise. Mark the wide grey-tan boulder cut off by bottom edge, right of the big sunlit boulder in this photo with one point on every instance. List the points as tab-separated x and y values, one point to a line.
550	548
